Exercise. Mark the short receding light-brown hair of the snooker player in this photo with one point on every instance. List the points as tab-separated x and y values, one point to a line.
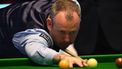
65	5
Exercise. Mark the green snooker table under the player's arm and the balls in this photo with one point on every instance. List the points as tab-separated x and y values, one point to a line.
106	61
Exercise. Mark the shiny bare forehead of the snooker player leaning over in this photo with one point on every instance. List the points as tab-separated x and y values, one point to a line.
62	18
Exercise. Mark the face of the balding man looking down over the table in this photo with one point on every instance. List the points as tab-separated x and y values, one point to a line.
63	31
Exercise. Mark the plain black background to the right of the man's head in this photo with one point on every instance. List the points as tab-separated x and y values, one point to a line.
101	27
